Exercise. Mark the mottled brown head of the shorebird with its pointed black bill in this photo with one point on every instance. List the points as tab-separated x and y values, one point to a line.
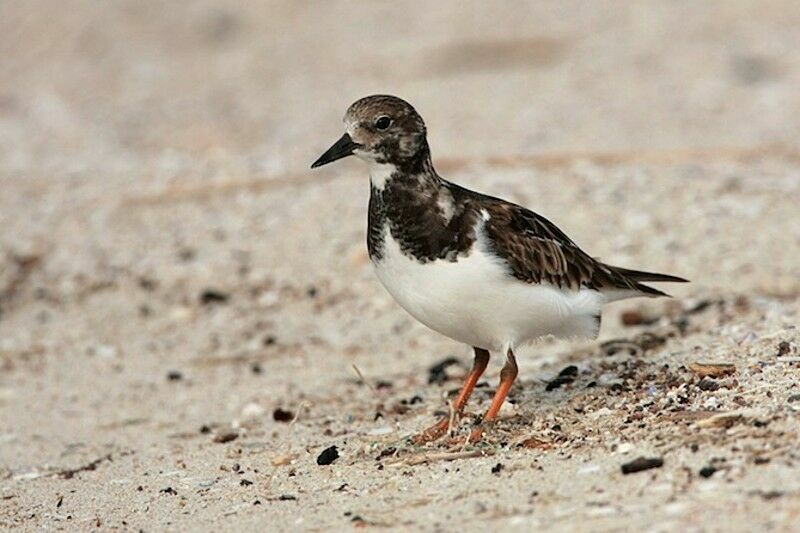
380	129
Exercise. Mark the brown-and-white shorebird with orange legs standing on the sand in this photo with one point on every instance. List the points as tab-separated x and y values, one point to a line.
478	269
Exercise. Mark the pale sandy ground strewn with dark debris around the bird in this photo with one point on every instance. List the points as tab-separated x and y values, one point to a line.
182	302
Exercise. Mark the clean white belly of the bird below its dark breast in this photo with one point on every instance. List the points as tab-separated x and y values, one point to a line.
475	301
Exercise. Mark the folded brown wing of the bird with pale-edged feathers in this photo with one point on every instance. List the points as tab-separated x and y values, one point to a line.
537	251
